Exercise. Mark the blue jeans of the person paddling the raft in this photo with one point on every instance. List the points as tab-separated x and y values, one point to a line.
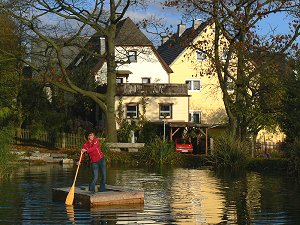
96	166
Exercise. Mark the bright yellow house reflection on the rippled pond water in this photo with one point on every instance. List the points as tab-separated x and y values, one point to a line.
197	195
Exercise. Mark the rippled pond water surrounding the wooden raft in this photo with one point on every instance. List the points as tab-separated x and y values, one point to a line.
172	196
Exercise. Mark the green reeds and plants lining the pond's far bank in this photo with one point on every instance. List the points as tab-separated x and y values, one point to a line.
228	153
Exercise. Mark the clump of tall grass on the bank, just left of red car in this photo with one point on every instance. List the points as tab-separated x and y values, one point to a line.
159	152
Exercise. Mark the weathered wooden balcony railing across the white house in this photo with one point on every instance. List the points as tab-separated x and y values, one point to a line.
152	89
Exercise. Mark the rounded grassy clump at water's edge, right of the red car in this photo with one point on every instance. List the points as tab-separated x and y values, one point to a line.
230	153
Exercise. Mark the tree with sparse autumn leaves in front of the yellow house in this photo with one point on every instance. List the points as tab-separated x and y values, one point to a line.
242	58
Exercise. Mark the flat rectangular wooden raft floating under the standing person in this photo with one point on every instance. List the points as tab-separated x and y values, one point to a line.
112	196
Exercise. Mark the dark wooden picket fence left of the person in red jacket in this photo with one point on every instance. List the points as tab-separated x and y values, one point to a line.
58	140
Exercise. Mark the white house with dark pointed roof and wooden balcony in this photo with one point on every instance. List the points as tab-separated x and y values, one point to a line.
142	75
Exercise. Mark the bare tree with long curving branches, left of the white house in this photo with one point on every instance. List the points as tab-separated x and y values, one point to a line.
59	24
